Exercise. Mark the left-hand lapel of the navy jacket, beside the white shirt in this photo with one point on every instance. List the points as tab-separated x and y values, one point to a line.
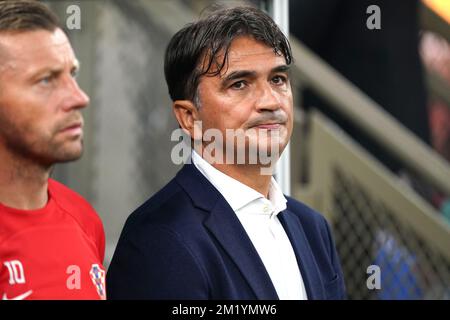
226	228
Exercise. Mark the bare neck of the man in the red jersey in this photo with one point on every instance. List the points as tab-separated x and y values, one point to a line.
23	184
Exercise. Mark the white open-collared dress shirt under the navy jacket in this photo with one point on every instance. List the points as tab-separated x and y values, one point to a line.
258	216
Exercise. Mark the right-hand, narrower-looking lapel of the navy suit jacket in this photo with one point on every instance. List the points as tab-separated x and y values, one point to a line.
303	252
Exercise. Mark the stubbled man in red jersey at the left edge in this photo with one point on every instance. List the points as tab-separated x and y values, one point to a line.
51	240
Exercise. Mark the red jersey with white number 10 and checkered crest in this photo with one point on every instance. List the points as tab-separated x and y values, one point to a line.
52	253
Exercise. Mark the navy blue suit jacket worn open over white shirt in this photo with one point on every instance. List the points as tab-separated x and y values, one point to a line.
186	242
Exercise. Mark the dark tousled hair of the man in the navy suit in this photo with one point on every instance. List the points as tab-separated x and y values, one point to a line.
194	50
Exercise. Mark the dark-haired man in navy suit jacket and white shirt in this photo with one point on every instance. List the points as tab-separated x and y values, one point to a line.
223	229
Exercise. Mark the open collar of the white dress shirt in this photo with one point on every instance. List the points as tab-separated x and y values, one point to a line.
237	194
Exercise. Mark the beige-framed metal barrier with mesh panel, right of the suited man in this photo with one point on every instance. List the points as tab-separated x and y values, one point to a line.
377	220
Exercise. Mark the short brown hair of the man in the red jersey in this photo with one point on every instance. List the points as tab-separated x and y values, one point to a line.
26	15
